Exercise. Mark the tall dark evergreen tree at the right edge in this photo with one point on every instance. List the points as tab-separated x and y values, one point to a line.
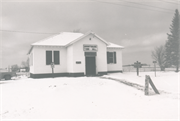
173	42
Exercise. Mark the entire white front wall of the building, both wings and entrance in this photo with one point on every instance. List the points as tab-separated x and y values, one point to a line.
73	53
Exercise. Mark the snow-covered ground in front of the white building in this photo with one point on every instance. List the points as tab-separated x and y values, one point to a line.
90	98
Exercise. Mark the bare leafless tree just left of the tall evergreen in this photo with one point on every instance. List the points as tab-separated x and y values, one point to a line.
158	54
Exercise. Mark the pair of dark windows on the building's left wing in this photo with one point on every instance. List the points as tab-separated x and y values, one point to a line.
52	56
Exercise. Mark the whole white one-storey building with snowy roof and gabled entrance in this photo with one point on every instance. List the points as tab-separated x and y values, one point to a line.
74	54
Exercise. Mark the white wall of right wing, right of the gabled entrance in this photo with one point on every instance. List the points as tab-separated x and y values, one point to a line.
118	65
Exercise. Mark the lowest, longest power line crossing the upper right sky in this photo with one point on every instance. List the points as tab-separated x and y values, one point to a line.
131	6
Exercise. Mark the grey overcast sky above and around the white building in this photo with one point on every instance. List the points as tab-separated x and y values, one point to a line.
138	25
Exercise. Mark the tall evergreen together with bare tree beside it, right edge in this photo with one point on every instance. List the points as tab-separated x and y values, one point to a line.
168	55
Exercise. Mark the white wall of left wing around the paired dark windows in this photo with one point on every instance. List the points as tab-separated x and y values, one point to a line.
39	63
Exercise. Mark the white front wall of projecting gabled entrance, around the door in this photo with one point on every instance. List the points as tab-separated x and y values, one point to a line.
78	54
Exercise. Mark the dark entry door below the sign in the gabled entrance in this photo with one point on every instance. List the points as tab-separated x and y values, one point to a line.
90	66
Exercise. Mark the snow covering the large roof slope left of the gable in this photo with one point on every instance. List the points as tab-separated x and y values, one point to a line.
61	39
